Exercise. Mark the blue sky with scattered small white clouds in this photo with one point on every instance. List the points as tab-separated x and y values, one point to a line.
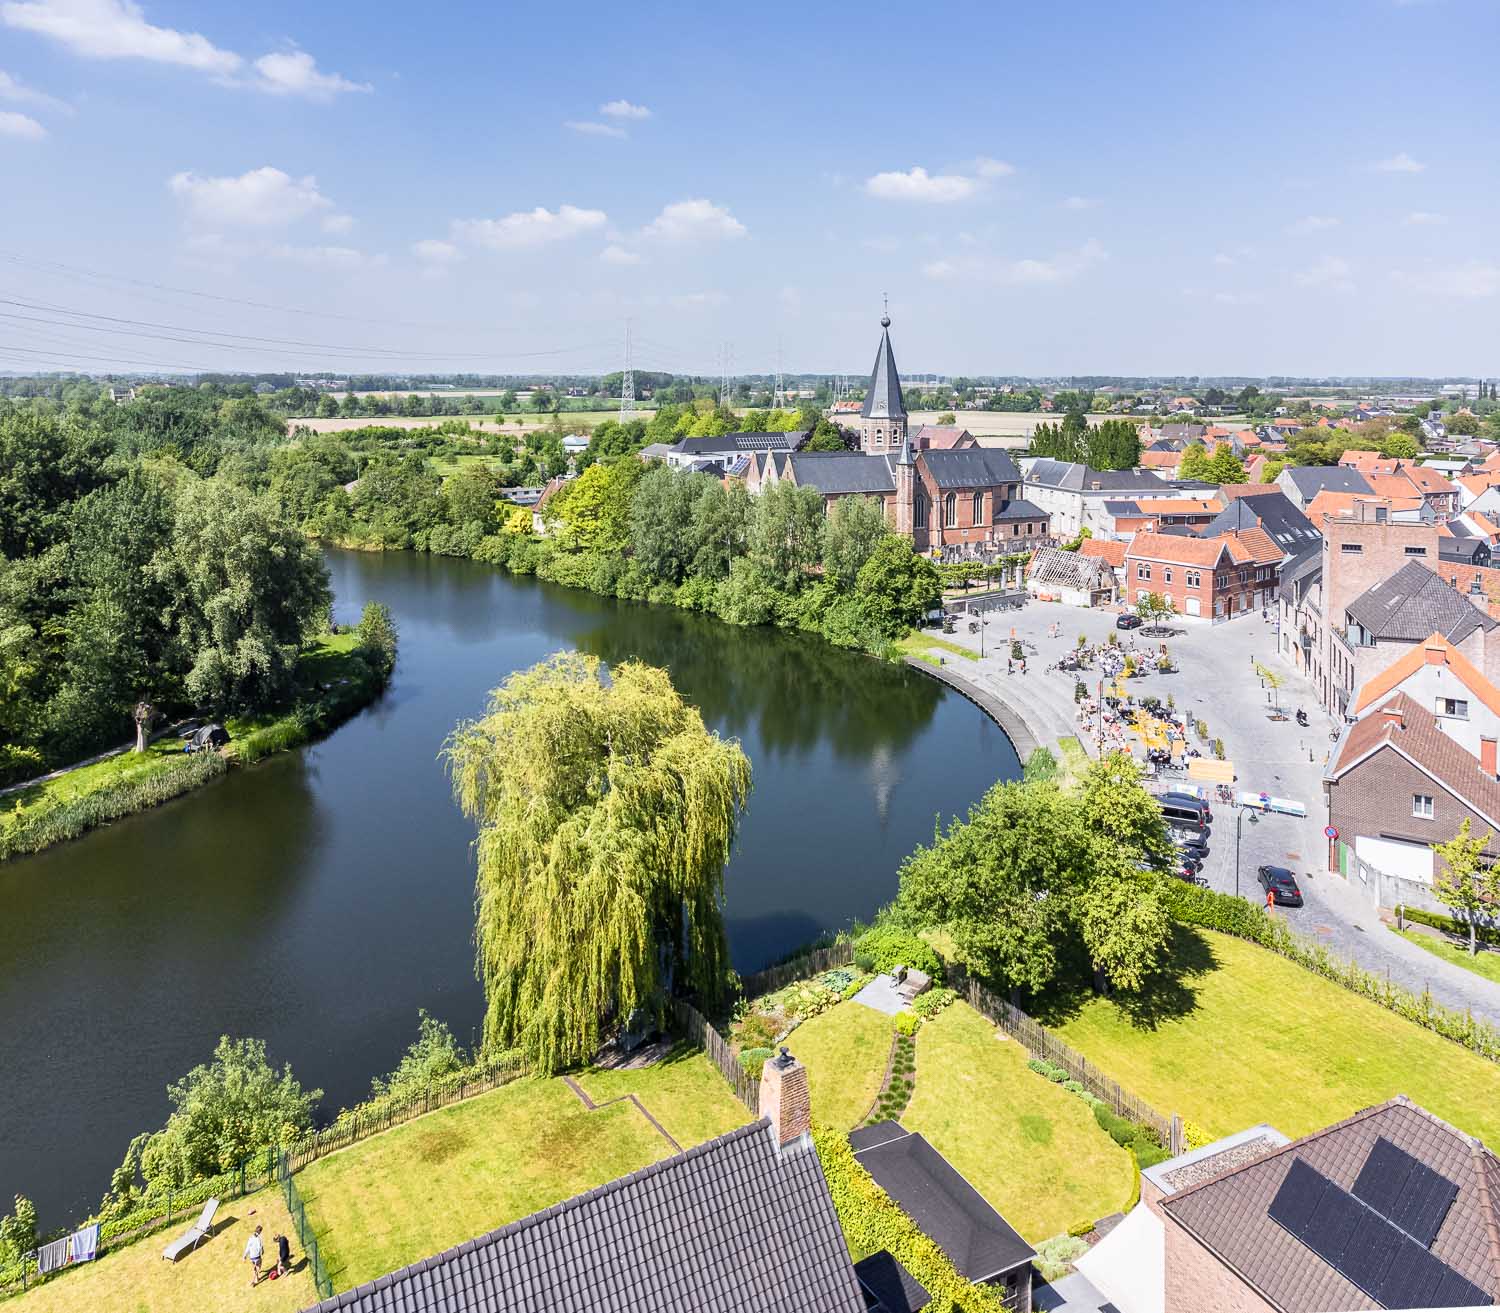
1273	188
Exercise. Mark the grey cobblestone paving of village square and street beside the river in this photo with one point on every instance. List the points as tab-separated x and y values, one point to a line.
1216	682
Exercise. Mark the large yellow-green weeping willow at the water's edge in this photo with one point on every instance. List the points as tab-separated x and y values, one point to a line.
605	814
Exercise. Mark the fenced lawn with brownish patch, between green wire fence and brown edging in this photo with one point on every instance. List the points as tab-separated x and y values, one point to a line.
464	1171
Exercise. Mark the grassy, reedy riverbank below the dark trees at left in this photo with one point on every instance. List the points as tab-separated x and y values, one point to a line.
334	684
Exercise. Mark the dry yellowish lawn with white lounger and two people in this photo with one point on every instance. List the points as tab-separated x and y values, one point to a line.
137	1281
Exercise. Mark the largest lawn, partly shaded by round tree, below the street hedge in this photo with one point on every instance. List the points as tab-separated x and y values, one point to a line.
1244	1036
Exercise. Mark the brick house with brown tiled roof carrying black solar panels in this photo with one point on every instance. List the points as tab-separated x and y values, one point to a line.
1390	1209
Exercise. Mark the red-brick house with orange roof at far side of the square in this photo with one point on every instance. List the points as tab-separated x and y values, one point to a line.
1211	578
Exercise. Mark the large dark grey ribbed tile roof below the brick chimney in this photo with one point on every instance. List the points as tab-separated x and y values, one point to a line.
734	1225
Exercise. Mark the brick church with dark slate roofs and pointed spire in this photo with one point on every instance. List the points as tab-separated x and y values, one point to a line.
938	487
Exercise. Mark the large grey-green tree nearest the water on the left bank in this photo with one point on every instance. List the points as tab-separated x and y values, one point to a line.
245	590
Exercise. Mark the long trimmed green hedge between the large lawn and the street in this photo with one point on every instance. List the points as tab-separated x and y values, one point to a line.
1232	916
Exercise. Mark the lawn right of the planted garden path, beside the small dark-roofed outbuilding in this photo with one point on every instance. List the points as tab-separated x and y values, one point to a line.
1030	1147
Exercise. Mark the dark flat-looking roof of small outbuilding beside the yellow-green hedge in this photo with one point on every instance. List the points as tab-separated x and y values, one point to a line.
946	1209
